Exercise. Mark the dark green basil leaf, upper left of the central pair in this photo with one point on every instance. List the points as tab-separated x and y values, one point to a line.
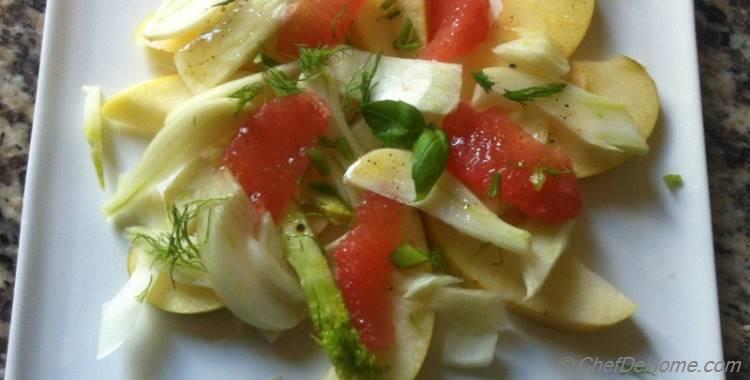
397	124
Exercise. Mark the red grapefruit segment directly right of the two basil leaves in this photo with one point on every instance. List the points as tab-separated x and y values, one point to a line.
537	179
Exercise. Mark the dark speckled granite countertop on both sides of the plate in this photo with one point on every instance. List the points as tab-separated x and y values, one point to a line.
724	47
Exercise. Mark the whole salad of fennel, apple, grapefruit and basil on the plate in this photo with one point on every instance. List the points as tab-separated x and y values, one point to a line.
372	165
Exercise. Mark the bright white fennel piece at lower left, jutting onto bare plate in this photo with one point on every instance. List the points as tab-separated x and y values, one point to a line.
120	315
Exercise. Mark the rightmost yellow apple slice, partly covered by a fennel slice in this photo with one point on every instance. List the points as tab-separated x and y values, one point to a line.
624	81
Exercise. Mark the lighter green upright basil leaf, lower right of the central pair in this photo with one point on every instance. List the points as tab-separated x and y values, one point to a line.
430	156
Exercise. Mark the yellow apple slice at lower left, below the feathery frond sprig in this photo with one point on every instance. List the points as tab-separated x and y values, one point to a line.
182	298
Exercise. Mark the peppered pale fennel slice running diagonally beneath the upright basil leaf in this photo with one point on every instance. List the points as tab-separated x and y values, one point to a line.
388	173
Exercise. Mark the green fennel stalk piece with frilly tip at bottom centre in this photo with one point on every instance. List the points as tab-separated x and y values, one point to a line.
330	317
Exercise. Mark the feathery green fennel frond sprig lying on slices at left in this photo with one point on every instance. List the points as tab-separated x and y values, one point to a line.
176	247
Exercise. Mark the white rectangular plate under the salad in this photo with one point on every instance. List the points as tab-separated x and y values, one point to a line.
653	244
